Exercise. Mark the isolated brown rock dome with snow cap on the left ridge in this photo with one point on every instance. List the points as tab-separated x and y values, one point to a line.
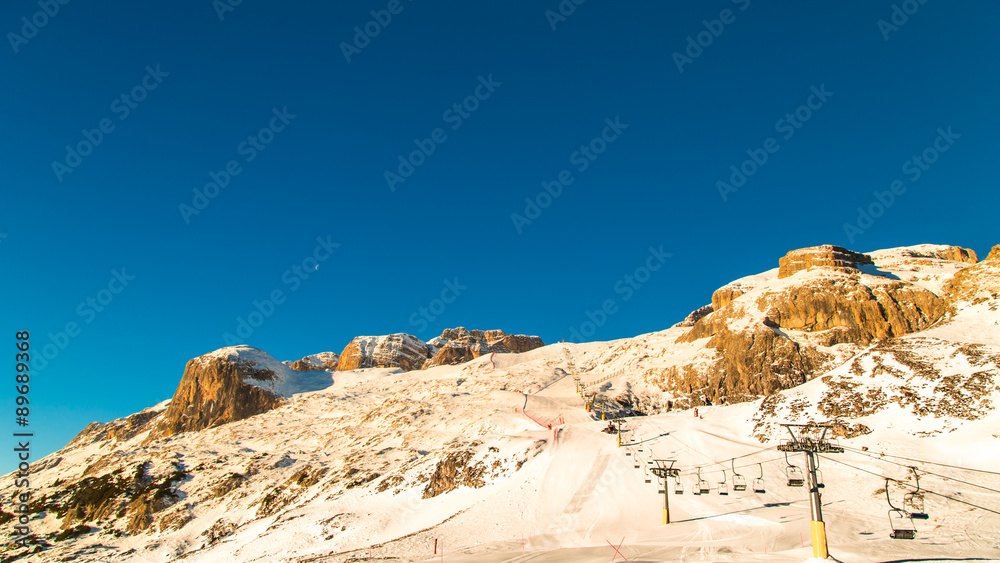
231	384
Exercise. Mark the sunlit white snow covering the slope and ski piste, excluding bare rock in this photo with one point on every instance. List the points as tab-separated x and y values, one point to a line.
563	495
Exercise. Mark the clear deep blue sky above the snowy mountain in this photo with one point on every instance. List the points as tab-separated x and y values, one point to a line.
183	94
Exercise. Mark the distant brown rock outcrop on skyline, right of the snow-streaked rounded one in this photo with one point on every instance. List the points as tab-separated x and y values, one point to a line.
459	345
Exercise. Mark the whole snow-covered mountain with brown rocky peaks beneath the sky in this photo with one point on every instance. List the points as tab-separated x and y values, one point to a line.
501	460
